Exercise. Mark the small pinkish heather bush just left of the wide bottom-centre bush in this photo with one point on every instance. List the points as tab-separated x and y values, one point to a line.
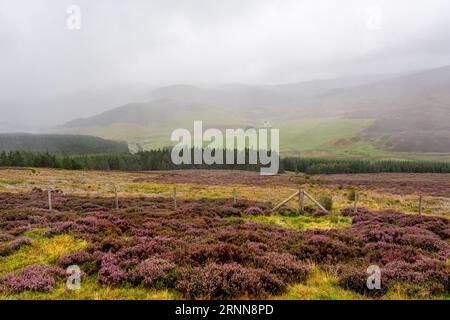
153	272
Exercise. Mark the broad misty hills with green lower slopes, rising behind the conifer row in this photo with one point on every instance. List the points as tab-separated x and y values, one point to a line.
403	113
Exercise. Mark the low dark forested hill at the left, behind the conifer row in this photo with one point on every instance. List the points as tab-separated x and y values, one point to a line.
58	143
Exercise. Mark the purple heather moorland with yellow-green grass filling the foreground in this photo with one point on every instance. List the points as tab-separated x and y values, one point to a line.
210	248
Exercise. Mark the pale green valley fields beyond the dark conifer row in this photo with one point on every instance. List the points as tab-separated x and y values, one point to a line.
313	137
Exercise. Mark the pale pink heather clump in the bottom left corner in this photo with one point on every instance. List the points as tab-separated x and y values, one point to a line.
34	278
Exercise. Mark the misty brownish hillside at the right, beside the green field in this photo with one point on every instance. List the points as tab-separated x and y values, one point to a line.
412	113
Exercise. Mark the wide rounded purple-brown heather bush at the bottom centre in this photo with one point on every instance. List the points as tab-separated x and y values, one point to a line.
230	280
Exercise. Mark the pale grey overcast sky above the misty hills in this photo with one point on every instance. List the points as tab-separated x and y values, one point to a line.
49	73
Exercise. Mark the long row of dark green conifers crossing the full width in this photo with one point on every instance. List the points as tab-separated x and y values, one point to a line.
161	160
